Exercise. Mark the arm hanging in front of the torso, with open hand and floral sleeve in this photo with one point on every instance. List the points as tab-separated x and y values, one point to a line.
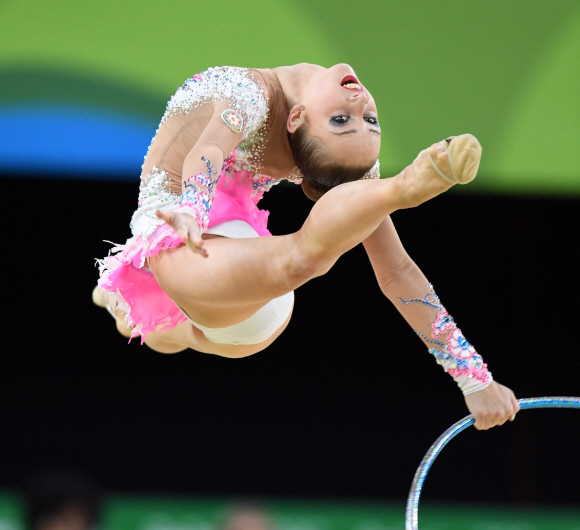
201	170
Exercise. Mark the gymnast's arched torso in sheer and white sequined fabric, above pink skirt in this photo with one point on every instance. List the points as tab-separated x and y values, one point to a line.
263	150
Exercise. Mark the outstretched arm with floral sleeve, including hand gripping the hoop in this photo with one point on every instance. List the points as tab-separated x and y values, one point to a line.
403	283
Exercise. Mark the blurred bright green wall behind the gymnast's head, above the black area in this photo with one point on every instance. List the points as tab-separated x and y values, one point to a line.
507	71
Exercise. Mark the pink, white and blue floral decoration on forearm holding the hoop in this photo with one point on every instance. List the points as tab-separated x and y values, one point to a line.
450	348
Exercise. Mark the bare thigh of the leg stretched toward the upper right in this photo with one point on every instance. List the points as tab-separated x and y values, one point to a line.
238	277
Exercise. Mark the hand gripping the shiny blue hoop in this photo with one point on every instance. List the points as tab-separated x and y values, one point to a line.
492	406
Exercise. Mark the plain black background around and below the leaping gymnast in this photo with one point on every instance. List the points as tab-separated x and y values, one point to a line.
344	404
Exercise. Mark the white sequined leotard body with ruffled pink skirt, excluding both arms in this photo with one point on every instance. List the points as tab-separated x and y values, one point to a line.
232	195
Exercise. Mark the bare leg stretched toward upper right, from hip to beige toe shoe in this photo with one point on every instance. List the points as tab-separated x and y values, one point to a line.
240	276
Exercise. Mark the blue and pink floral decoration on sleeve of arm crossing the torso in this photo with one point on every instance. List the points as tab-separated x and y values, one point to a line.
198	194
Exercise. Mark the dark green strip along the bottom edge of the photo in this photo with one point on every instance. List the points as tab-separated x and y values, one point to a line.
163	513
